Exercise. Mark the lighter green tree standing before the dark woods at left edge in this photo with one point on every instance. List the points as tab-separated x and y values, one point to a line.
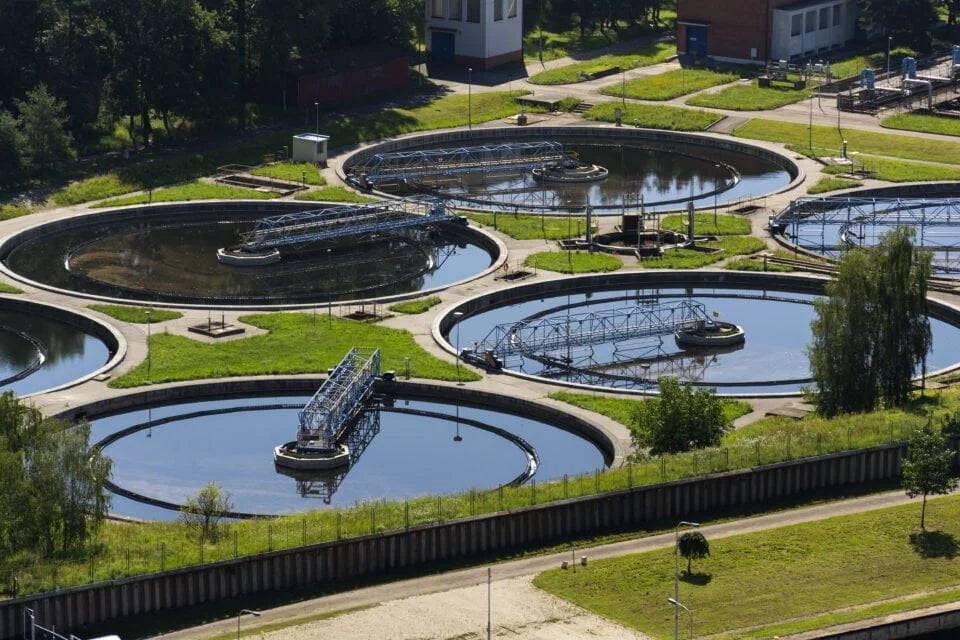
43	123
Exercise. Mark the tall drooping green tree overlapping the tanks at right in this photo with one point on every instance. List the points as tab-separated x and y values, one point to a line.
872	333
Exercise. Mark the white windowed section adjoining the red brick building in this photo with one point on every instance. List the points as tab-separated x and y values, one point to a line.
806	29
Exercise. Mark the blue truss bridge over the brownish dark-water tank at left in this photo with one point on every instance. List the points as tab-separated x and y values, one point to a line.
339	222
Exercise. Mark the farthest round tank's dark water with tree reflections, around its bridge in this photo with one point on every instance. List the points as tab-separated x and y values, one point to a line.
663	169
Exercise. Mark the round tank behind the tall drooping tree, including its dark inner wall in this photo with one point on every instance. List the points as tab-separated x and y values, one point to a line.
757	331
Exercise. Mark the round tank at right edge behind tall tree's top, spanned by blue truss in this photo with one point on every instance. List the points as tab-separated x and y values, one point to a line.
833	224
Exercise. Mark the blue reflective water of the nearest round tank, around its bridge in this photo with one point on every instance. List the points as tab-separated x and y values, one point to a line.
418	446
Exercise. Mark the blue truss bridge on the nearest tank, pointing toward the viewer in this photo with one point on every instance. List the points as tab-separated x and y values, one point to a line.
332	409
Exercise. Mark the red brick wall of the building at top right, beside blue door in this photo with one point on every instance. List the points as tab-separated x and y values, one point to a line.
736	26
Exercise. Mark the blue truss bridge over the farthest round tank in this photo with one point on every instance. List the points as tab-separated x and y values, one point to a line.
416	166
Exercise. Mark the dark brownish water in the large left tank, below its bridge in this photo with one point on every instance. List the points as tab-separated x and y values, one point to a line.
159	261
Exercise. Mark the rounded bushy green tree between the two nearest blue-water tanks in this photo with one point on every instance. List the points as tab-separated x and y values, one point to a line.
680	419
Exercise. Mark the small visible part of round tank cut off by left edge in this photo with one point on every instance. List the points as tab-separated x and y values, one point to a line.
43	347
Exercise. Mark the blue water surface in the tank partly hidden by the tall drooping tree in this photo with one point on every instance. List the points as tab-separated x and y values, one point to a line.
773	358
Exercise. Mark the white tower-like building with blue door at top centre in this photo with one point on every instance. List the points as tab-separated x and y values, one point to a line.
479	33
